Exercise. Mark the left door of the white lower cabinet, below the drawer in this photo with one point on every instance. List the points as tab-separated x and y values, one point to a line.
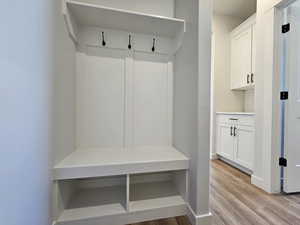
225	141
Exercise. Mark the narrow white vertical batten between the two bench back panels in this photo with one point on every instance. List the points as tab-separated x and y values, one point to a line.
128	126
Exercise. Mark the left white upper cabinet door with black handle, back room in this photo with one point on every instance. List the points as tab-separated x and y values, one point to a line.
241	59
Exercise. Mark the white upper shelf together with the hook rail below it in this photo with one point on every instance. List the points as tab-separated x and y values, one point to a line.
130	25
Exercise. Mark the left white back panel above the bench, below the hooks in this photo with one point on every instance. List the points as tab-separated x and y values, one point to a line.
100	99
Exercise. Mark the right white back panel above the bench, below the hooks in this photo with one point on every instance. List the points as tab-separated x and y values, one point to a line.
152	100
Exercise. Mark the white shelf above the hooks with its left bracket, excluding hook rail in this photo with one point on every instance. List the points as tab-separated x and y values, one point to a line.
79	14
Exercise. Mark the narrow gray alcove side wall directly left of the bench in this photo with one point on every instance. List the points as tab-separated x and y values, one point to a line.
63	111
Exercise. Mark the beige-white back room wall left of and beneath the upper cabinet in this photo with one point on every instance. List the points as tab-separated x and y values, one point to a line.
225	99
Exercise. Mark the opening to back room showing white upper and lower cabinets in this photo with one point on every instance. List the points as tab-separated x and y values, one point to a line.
233	83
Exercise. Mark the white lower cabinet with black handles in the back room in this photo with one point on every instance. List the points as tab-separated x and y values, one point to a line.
235	139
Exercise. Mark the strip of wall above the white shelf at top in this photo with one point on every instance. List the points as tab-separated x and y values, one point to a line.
156	7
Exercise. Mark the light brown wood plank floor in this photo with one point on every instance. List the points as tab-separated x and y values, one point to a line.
234	201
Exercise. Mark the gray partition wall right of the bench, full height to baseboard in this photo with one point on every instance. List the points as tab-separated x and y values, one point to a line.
192	98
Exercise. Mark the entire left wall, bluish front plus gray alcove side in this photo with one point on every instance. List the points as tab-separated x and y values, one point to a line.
37	63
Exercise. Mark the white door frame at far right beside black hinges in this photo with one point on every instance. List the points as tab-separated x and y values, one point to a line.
272	171
